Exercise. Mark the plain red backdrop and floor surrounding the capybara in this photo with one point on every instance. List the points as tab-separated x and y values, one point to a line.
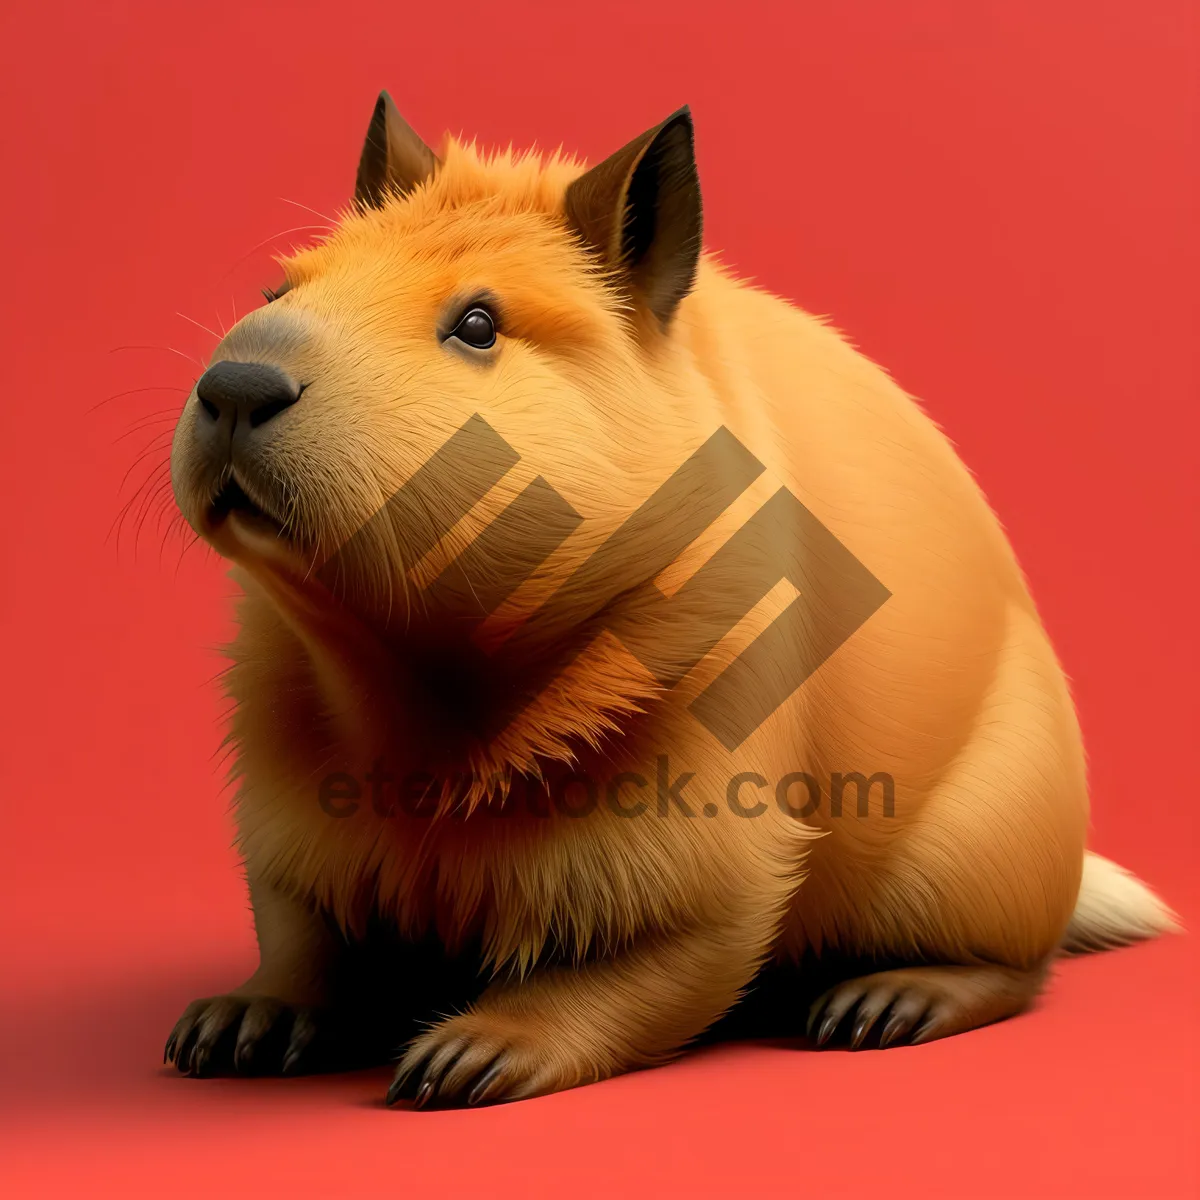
997	200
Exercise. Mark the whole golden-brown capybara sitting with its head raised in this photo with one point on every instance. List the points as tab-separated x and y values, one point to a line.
613	634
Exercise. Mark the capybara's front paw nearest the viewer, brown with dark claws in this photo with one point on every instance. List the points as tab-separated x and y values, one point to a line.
484	1059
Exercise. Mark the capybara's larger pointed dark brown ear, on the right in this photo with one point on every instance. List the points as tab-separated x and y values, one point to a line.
640	212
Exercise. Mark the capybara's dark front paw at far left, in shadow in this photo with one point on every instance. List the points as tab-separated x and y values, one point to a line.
245	1035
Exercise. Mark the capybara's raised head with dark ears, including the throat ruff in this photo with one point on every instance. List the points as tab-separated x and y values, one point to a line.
352	445
